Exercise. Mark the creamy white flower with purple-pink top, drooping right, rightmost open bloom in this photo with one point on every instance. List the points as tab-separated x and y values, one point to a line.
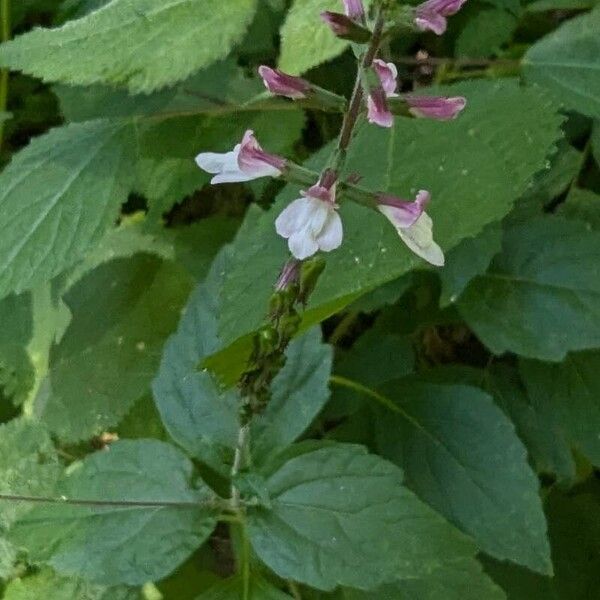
414	225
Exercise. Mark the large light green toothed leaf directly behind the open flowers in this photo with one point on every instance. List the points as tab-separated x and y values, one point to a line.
472	186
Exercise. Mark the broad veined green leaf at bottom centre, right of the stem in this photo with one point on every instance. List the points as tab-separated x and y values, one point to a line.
340	516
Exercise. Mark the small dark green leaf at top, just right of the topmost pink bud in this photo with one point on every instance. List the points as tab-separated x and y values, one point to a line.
485	33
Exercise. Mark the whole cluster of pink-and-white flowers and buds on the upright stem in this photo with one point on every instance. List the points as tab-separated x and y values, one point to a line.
312	222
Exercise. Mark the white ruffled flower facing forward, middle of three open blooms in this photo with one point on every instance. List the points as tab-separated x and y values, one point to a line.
311	223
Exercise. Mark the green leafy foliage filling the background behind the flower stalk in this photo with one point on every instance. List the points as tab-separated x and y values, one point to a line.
433	435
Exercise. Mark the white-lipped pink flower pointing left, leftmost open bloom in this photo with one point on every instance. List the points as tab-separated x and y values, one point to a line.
245	162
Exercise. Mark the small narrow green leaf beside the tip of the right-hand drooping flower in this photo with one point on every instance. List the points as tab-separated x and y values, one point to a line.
470	258
